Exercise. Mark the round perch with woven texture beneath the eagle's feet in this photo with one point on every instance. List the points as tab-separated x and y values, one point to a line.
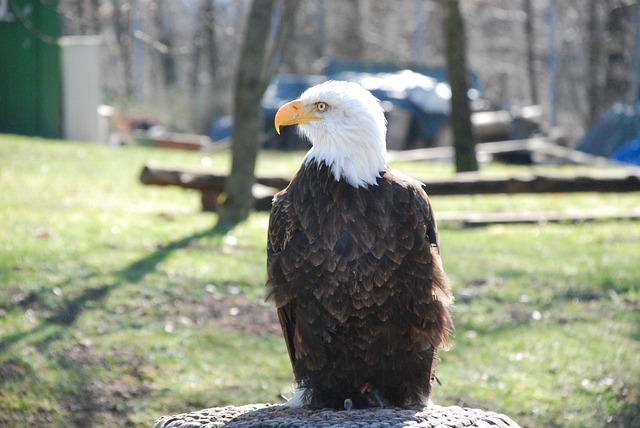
265	415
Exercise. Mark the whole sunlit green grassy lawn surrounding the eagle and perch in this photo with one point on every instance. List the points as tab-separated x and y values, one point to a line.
120	302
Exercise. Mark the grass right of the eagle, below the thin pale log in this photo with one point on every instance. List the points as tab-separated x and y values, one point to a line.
547	322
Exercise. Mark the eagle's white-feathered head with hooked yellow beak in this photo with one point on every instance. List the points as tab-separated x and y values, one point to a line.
346	126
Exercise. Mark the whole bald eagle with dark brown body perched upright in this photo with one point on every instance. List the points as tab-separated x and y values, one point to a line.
353	261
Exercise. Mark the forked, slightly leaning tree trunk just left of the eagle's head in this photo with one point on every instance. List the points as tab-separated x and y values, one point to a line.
260	57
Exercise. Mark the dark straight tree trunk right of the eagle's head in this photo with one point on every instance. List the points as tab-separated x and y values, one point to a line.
455	44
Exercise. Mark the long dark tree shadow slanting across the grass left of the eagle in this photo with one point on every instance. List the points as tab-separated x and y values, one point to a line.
67	313
